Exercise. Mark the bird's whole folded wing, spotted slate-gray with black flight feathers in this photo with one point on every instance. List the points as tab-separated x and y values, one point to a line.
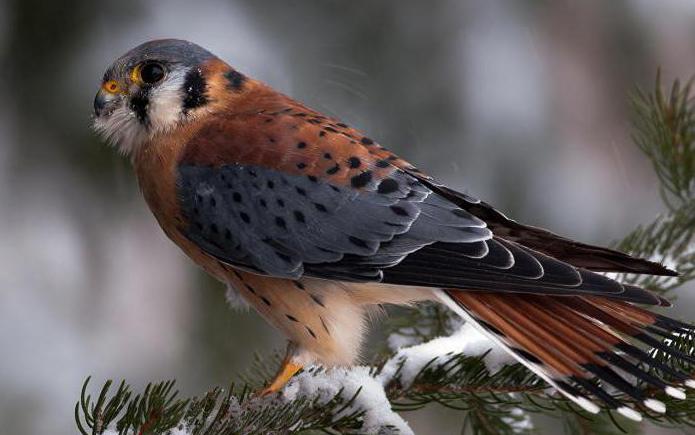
289	226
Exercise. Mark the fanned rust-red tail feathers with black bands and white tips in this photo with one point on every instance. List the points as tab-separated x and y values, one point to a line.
583	344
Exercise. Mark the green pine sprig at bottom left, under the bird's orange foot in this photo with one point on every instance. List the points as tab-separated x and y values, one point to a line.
236	411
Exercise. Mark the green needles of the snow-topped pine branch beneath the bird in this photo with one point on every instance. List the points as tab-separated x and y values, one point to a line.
494	402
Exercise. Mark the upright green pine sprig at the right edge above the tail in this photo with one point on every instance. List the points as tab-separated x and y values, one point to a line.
665	131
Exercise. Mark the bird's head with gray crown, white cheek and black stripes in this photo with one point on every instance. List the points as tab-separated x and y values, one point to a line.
153	88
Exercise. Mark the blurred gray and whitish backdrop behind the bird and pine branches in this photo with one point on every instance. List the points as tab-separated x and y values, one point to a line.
523	103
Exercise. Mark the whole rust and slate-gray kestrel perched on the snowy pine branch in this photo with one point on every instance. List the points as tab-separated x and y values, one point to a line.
316	225
